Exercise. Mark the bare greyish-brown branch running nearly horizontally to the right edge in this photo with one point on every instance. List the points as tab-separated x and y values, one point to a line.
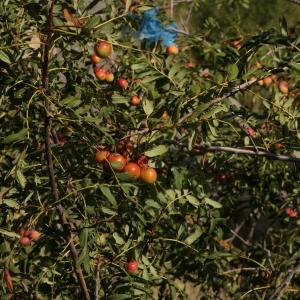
209	148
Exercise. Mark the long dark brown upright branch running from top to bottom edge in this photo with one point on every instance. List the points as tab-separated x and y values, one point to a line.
53	183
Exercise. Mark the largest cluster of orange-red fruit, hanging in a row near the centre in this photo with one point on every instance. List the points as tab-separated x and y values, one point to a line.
129	170
